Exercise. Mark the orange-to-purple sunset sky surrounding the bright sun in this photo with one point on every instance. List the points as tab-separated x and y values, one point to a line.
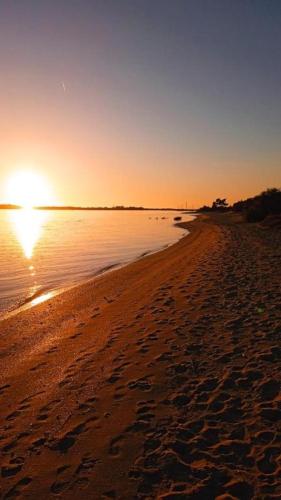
145	102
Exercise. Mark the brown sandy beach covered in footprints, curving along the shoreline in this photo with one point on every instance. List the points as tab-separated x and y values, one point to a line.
158	380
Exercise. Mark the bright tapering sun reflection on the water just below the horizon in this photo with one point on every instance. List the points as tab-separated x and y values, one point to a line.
27	225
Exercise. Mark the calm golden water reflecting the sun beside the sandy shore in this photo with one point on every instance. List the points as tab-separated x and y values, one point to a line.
42	251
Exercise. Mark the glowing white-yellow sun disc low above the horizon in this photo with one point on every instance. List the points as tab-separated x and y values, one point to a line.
28	189
